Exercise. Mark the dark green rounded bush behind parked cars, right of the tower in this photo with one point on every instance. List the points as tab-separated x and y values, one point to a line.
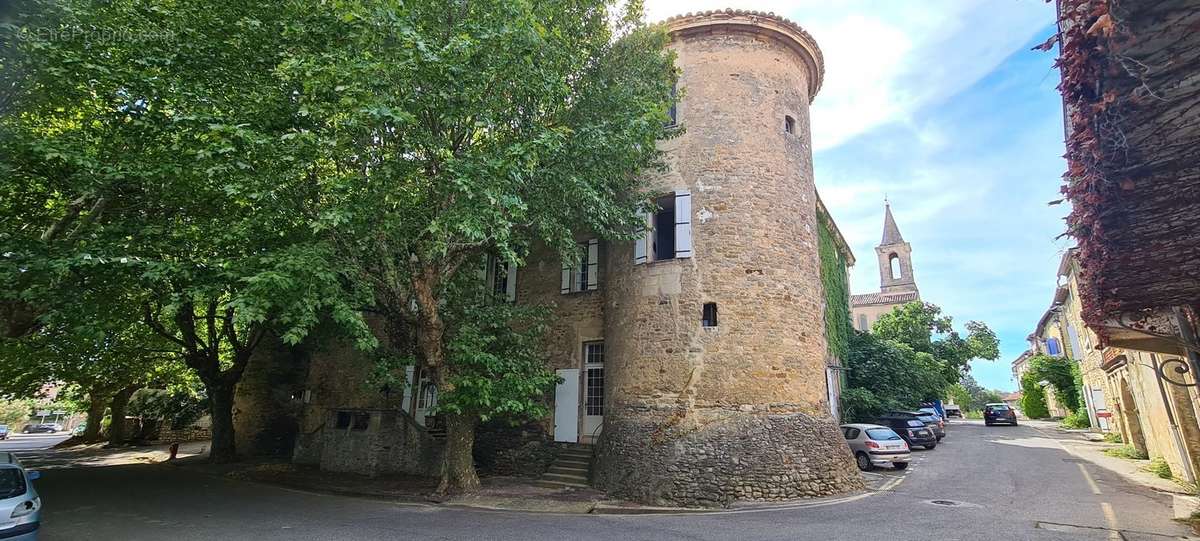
885	375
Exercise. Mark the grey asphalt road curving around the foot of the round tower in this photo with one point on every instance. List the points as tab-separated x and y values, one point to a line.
998	484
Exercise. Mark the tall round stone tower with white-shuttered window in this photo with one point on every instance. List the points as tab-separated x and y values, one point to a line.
709	405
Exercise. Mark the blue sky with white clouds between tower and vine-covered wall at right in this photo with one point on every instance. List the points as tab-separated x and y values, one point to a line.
945	111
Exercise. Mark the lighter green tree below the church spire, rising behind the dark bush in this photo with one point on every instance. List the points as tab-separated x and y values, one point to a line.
922	327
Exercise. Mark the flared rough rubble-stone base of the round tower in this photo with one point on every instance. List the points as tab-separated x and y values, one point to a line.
735	456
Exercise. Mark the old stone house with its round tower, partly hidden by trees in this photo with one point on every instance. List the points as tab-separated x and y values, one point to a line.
695	364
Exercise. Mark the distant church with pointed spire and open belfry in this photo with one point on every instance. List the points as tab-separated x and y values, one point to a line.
898	286
